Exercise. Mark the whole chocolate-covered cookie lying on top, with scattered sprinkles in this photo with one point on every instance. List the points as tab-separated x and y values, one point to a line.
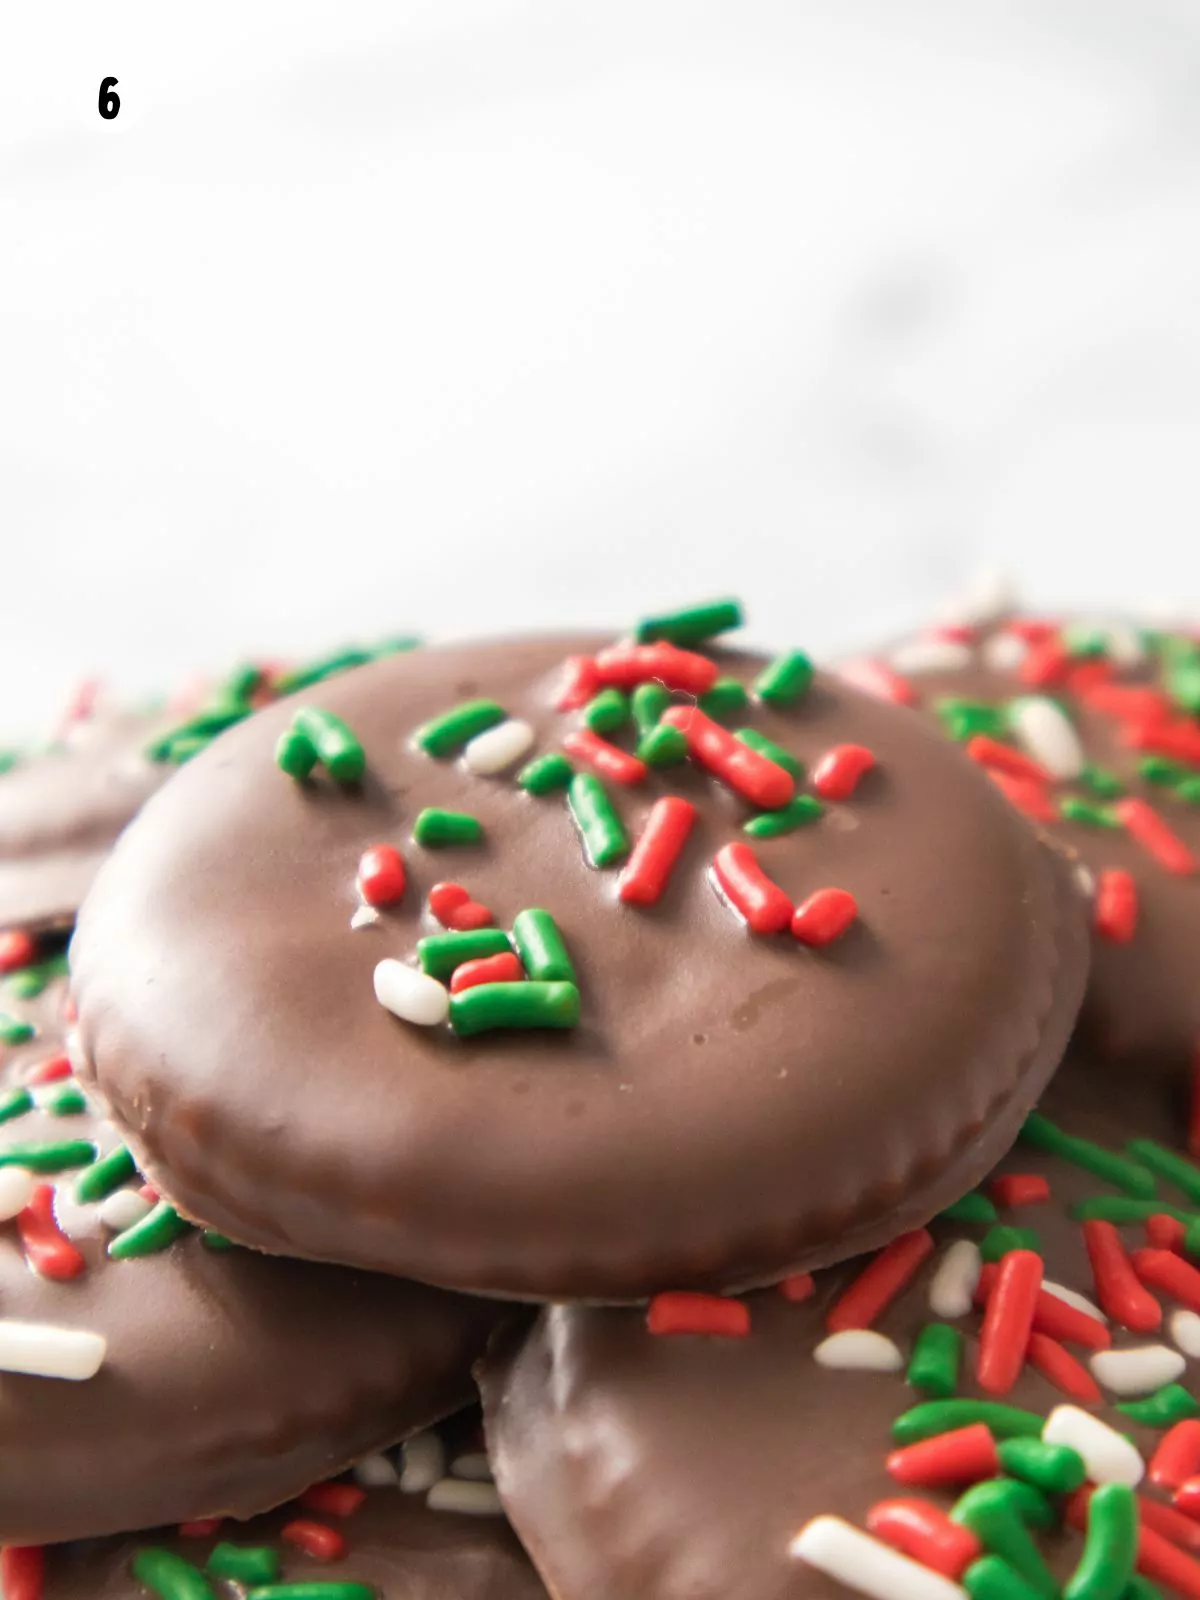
719	1006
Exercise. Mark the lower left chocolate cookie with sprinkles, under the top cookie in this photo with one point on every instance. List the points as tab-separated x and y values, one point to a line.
151	1372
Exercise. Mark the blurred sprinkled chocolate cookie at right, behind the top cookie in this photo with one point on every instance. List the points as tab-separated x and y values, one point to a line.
1094	732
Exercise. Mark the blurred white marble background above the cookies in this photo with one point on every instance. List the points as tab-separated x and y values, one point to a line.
484	314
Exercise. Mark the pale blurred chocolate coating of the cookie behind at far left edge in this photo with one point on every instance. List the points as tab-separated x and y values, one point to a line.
63	809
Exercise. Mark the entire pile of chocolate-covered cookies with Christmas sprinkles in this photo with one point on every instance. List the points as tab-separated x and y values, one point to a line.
770	1090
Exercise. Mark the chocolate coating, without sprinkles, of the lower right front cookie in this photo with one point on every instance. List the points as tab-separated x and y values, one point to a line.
681	1468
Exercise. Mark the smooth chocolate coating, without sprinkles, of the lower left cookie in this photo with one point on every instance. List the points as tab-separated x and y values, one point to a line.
231	1380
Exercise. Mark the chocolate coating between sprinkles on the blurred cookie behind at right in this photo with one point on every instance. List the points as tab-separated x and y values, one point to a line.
1143	1002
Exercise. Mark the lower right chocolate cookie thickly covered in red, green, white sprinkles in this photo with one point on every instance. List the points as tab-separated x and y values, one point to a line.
878	1410
